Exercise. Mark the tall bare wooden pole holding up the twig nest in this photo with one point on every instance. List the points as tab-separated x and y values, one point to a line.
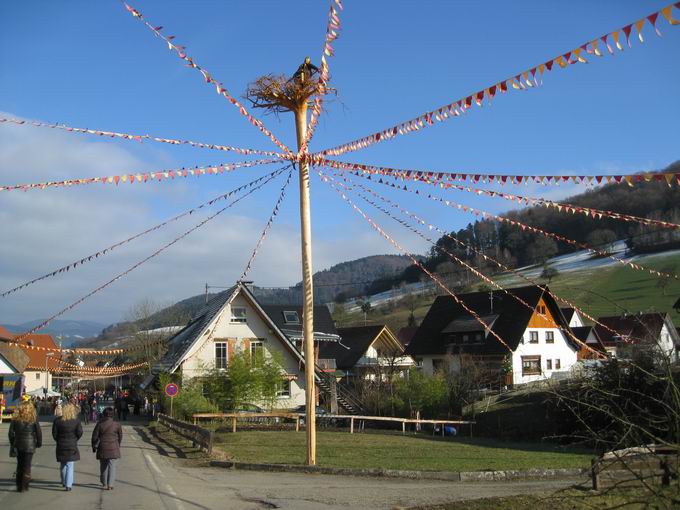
308	295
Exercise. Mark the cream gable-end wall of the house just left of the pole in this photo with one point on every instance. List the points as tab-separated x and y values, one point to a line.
202	355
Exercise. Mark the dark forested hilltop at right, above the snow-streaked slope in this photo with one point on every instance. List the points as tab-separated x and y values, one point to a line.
517	247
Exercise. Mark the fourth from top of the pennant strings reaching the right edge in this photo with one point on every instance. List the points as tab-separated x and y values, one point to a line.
522	226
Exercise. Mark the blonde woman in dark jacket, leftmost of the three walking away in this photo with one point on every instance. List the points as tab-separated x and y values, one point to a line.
24	437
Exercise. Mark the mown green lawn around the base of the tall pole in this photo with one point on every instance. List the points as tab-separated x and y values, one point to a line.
394	451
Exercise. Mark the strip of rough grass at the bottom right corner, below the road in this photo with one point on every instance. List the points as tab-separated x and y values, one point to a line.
569	499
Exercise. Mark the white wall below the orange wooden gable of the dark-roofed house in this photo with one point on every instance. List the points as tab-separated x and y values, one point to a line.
560	352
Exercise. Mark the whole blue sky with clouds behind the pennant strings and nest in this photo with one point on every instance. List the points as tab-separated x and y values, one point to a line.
90	64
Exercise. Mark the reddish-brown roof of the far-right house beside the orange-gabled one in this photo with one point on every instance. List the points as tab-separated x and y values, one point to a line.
638	328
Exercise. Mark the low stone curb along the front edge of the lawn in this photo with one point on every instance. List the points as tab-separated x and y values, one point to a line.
452	476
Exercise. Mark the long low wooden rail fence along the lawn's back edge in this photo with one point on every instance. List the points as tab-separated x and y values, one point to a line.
297	418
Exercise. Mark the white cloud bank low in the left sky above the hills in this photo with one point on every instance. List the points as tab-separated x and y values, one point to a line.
43	230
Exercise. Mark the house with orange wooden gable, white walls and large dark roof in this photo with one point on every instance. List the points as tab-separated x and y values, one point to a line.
528	321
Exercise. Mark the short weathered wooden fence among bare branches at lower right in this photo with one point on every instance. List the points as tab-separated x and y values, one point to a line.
635	466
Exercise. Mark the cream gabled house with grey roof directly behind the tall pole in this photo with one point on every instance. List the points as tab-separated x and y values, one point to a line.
234	320
